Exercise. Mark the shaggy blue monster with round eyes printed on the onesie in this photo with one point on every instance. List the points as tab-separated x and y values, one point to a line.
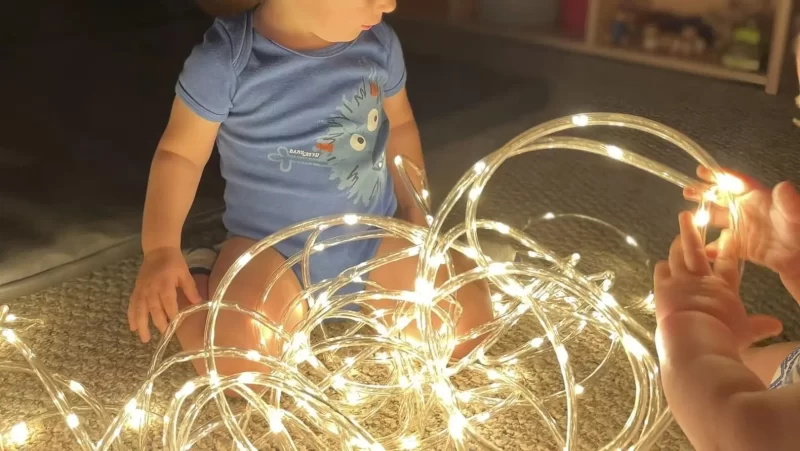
356	142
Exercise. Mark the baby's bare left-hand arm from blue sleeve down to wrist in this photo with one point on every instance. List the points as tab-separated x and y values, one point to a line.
182	153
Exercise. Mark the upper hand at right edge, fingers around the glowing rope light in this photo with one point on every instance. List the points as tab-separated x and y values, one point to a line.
769	232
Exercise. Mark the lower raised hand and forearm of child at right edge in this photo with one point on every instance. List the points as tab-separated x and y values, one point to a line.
702	329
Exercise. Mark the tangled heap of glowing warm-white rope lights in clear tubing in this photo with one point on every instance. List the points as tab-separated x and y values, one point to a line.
312	393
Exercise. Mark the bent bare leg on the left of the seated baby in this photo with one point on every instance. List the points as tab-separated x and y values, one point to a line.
234	329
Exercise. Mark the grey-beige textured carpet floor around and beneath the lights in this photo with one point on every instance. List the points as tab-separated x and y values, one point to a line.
503	89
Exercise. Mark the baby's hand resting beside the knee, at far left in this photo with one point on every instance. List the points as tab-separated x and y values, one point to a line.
163	271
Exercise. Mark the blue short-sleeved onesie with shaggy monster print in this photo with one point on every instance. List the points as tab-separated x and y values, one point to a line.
302	134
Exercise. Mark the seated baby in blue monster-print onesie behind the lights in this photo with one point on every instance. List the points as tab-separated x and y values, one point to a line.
306	102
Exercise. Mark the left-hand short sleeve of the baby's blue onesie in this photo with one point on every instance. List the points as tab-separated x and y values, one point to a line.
207	82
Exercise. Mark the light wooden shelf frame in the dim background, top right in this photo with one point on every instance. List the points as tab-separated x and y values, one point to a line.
600	12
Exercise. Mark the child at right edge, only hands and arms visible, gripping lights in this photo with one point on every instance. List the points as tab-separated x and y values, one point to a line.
725	394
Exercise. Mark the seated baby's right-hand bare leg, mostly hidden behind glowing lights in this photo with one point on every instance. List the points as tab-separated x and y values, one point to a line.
474	298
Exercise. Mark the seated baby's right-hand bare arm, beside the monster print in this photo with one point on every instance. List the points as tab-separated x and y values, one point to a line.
404	140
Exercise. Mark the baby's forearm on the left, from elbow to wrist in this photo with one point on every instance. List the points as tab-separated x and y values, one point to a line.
170	193
